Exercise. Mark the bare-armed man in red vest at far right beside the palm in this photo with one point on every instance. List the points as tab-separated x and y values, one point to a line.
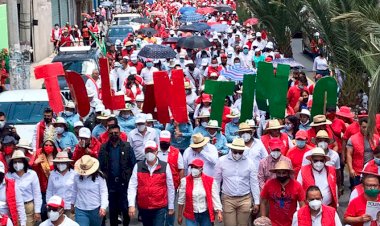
360	151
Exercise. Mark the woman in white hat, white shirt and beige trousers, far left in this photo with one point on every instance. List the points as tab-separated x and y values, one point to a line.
28	183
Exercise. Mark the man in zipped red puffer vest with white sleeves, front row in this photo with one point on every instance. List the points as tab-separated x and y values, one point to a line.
152	183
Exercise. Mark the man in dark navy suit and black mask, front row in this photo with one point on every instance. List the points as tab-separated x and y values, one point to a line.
116	160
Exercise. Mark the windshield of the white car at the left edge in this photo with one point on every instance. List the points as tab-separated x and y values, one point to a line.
24	112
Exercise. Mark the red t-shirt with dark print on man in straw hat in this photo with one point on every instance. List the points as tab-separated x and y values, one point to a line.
282	206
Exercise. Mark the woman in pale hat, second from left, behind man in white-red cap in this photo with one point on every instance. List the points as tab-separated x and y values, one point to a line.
61	181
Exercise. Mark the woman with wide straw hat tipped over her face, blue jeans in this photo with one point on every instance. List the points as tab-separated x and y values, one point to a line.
90	193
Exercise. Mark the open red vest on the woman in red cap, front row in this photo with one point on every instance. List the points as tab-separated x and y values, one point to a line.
207	184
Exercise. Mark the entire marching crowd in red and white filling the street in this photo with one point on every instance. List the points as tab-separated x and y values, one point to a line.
125	163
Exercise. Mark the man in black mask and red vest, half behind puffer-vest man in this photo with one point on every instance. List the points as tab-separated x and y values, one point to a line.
173	157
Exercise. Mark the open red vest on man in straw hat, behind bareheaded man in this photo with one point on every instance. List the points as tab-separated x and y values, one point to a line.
308	180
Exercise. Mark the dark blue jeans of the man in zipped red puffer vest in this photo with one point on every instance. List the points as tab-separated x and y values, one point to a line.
153	217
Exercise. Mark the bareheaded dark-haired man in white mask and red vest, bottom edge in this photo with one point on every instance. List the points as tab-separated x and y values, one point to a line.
315	213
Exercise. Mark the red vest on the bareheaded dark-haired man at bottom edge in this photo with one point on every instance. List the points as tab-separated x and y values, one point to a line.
328	216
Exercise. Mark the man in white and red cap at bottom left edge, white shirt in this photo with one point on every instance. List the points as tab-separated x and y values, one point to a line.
56	215
